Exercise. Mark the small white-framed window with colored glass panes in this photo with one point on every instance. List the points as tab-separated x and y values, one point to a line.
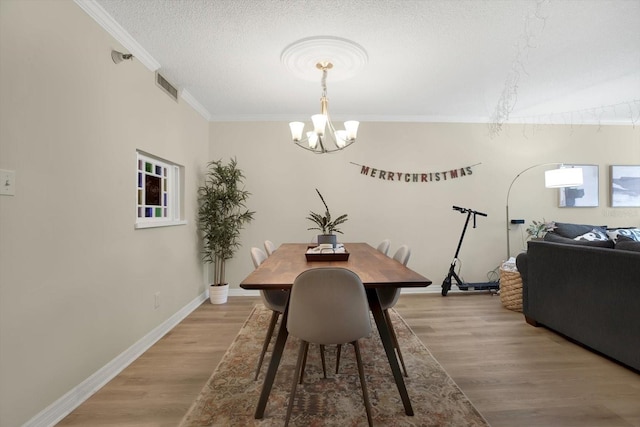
158	192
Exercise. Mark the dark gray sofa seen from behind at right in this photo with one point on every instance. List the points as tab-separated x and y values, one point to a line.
587	293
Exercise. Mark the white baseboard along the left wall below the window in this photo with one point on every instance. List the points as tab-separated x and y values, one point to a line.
76	396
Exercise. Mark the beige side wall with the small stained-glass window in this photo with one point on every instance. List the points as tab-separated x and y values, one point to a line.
77	282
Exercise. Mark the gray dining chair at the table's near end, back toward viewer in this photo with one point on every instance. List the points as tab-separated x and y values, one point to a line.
328	306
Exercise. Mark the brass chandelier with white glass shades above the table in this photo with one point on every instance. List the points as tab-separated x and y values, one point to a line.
324	138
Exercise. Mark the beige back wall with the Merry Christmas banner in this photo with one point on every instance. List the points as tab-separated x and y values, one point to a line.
282	178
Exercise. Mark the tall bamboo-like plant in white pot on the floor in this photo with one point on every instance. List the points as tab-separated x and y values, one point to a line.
222	213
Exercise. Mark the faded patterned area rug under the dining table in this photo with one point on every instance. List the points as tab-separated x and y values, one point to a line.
230	396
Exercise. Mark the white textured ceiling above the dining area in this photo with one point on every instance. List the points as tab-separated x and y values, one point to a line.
571	61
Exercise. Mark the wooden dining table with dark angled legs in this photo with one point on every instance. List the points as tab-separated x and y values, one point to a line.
376	271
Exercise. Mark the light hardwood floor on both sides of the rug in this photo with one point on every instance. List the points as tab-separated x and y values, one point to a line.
514	373
